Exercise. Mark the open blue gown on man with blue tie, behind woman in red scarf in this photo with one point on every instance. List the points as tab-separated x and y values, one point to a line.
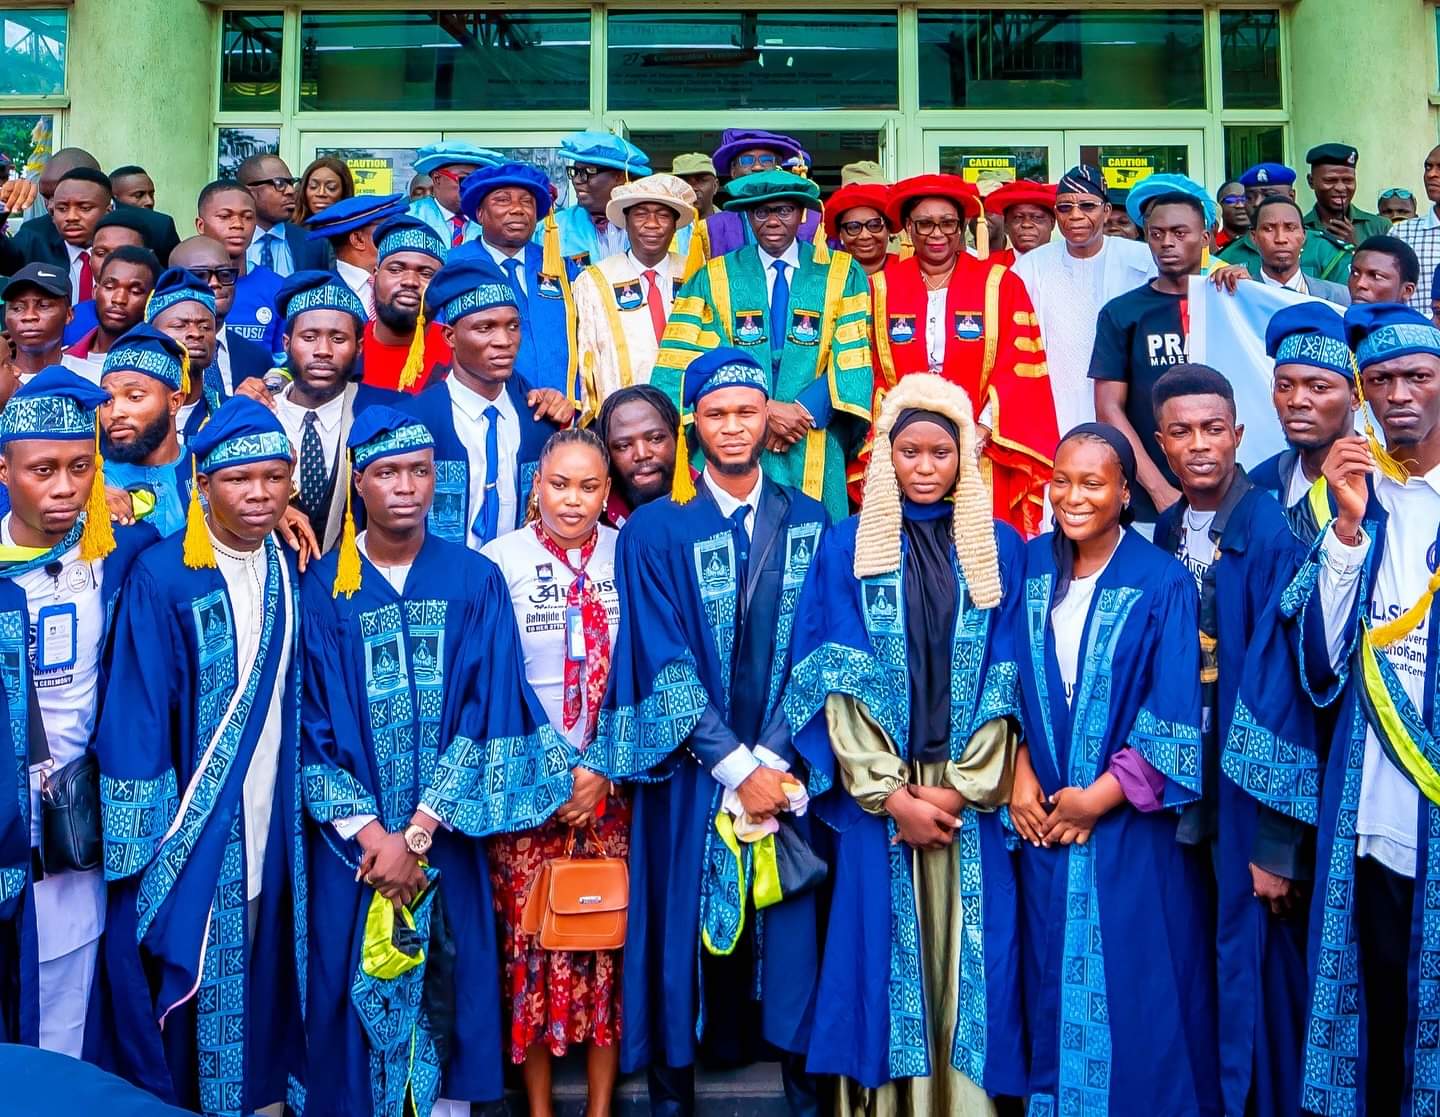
451	515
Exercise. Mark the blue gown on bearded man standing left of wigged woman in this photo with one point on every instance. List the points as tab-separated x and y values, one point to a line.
699	667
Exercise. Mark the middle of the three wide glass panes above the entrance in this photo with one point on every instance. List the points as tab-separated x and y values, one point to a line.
752	60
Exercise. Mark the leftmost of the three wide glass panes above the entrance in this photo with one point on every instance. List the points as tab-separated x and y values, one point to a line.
436	61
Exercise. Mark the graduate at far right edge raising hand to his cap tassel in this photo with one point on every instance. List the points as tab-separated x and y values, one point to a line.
1364	624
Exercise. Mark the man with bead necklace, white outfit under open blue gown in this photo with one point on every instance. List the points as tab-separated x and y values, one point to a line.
205	949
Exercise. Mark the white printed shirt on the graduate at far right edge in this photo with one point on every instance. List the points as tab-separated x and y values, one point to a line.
1389	802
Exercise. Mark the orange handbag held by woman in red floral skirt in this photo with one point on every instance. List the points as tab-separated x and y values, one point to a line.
580	903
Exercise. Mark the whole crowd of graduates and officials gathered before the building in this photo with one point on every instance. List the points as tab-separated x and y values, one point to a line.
708	624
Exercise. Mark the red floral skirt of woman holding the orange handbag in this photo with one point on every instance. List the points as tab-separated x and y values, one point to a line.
557	997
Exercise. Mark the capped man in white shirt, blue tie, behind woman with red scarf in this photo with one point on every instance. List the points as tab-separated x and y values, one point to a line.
489	424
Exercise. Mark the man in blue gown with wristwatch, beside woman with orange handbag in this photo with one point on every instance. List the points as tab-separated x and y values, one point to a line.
423	651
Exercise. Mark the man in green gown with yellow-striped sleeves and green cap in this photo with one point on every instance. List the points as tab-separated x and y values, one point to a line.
804	315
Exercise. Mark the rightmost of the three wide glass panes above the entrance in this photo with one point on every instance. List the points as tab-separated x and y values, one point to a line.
1062	60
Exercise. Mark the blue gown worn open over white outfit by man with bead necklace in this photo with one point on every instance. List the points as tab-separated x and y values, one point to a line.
230	1001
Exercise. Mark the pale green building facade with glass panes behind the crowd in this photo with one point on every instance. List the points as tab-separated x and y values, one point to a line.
1013	90
